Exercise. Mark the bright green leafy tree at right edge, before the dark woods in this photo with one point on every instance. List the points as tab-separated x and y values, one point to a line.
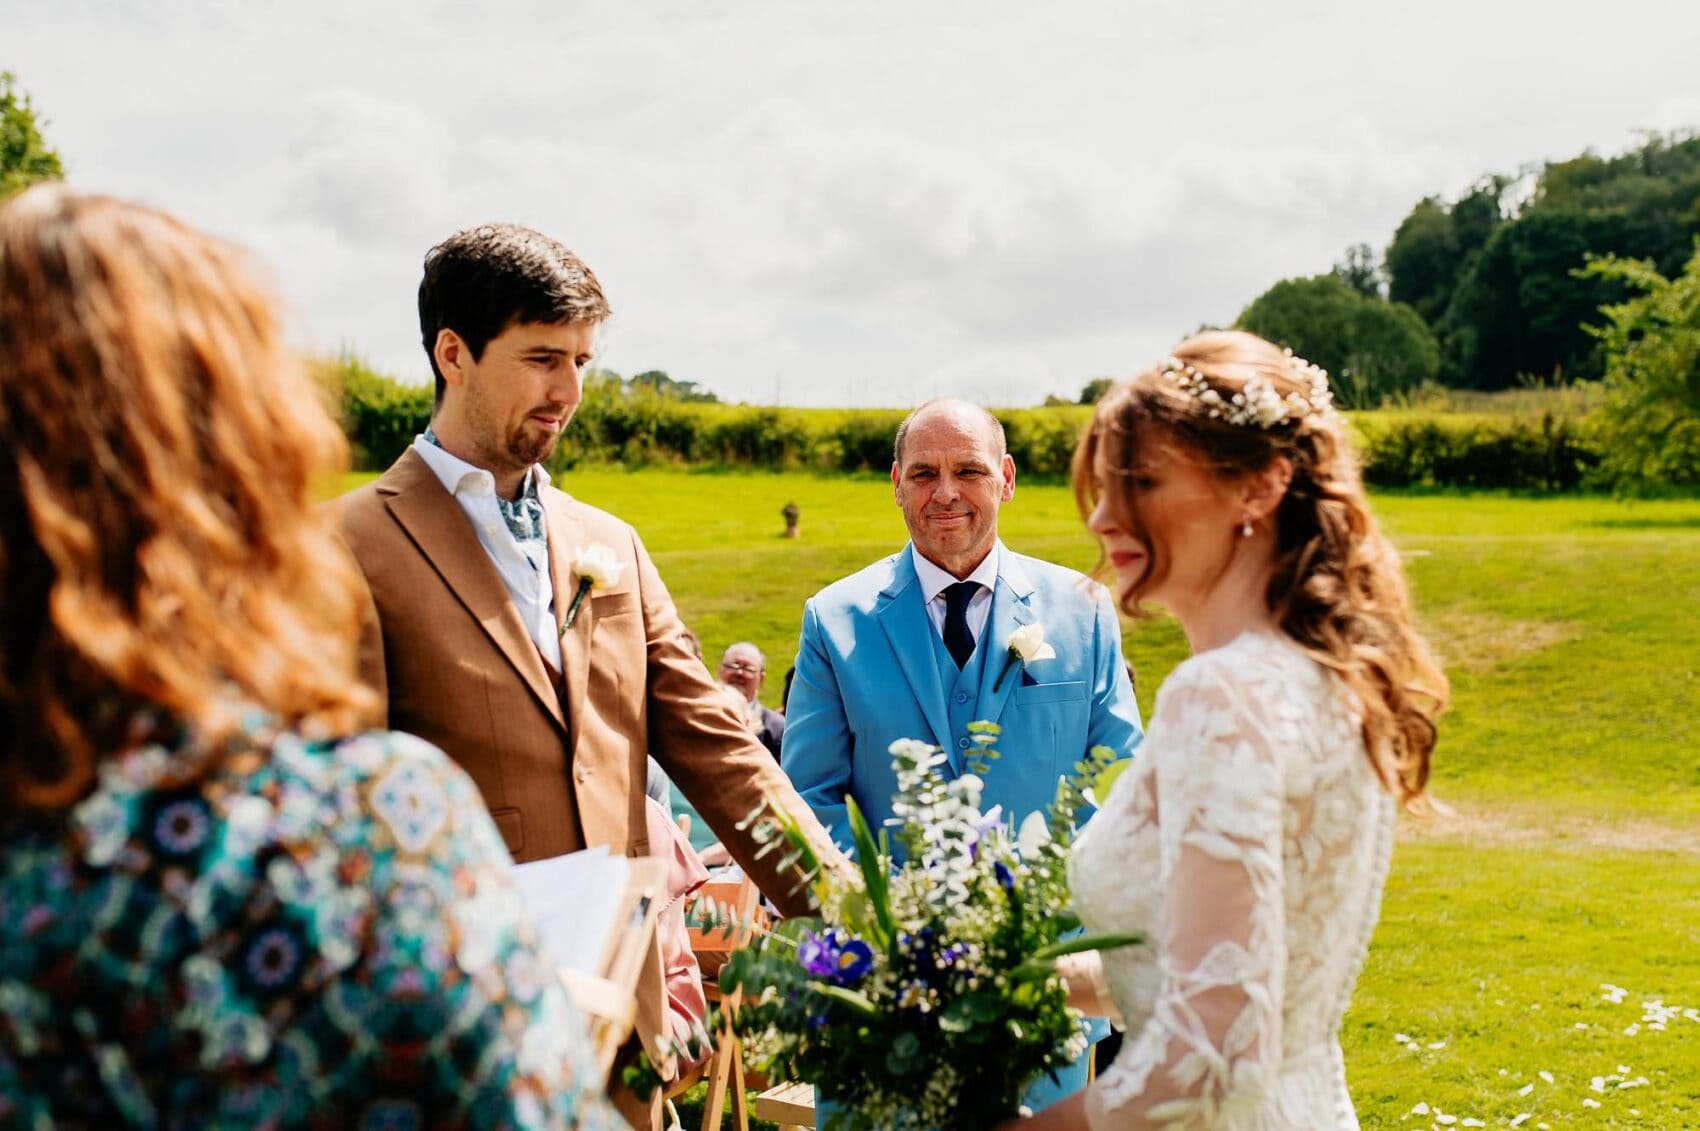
1652	419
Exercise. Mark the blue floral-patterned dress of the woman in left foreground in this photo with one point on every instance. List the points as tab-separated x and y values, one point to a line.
307	936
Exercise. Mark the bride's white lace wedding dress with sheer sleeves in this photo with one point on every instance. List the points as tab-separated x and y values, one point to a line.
1249	843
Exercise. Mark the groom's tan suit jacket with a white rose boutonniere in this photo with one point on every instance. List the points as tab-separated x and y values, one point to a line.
560	764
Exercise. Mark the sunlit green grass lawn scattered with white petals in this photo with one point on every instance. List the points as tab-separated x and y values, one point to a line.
1572	632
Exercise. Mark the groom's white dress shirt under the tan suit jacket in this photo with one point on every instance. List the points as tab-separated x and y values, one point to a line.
524	567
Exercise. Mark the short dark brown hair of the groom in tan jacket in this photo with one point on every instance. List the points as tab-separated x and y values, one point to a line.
485	280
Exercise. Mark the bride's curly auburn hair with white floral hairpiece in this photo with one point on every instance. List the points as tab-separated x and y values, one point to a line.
1337	586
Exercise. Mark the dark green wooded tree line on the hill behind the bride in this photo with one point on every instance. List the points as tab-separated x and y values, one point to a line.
1493	290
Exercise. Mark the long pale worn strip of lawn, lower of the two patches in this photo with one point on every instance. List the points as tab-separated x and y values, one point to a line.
1529	827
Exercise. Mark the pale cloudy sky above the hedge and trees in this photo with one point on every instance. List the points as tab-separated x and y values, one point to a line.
837	203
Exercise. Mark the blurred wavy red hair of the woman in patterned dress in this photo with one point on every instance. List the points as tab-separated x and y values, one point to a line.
159	545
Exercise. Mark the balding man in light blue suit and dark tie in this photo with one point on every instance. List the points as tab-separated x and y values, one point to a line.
917	647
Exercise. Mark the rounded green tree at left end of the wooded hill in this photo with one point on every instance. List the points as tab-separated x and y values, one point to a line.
1371	350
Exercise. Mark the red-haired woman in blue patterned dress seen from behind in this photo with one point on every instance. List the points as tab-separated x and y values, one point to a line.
220	902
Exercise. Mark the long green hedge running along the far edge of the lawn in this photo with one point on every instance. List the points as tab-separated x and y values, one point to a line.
1407	448
